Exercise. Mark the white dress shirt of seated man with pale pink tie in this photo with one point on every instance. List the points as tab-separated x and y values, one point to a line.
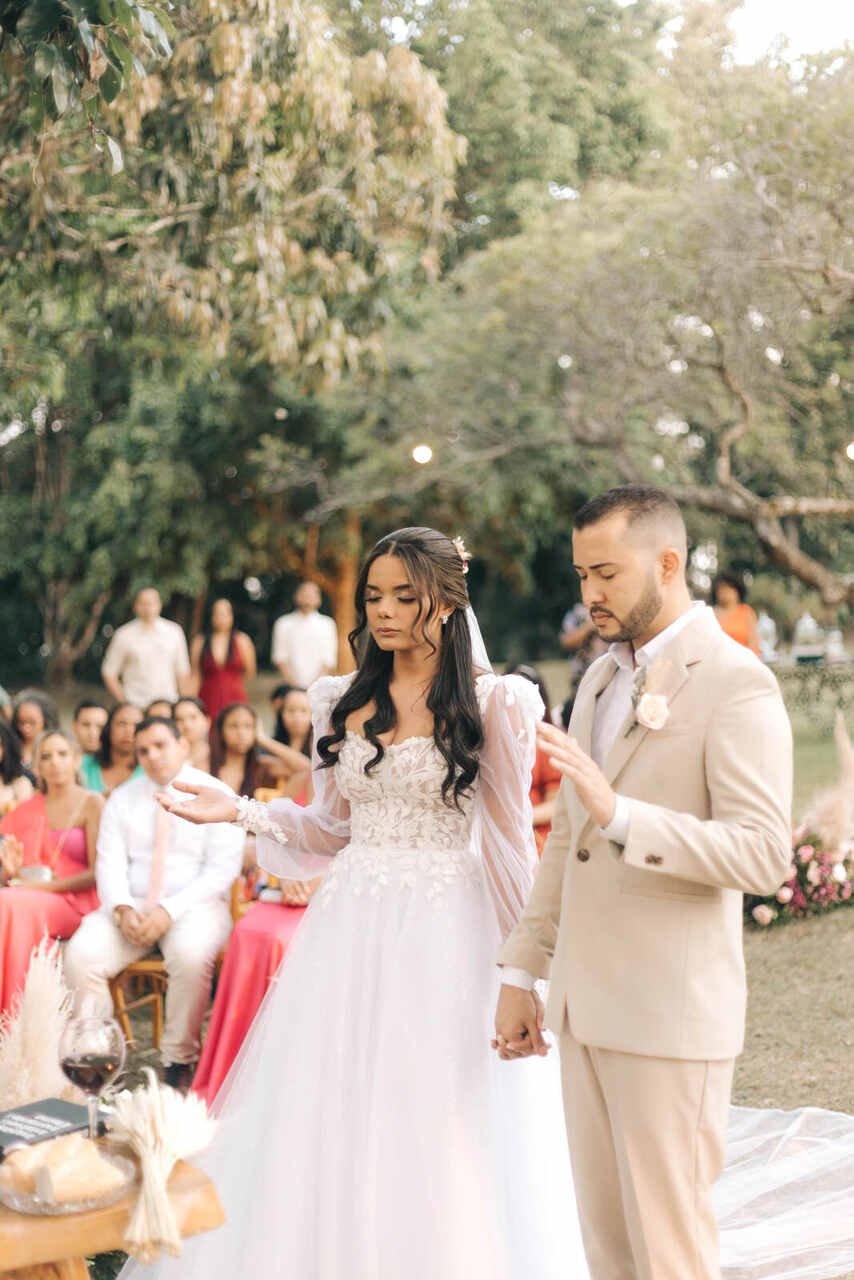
202	862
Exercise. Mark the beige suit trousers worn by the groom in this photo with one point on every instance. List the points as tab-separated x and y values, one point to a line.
647	1140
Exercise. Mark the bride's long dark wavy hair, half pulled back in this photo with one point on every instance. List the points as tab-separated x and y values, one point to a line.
437	575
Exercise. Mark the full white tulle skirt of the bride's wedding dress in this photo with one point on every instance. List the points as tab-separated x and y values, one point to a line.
368	1131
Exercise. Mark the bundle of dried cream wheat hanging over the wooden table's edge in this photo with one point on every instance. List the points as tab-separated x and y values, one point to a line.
162	1127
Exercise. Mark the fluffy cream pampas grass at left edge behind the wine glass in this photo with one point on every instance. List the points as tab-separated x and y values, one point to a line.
30	1035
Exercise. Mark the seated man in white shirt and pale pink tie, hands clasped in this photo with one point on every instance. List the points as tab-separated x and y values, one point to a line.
161	881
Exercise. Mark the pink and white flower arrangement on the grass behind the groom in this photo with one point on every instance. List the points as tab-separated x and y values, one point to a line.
818	881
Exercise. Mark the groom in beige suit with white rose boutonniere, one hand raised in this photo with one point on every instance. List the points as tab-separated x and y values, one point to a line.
677	801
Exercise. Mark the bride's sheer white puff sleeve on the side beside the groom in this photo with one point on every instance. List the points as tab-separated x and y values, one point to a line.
504	820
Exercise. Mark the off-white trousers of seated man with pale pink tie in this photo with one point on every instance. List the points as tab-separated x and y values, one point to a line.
190	947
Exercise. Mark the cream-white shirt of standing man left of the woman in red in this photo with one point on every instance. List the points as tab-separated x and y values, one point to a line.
148	659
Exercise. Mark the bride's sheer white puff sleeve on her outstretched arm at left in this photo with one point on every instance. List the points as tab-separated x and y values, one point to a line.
296	843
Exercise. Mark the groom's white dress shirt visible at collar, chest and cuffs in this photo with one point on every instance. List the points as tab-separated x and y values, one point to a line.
611	711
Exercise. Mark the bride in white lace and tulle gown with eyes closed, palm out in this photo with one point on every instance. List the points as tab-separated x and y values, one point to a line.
367	1131
